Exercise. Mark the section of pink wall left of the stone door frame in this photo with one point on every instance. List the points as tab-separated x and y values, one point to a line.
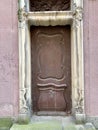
8	58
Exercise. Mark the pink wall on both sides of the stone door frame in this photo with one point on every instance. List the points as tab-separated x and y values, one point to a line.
9	79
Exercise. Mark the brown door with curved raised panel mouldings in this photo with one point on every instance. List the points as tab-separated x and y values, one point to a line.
51	68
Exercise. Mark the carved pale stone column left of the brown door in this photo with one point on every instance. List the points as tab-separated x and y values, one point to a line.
24	61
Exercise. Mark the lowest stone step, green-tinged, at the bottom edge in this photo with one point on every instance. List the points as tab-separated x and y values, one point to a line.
52	125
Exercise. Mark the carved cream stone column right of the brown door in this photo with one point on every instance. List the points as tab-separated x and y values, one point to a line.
78	66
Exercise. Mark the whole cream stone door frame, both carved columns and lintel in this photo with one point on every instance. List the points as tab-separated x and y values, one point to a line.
74	17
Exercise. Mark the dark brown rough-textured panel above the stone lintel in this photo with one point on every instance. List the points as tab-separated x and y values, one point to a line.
50	5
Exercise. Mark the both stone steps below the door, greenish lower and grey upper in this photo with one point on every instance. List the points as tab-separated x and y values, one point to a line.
52	123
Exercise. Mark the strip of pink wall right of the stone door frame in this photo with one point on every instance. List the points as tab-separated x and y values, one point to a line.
91	56
